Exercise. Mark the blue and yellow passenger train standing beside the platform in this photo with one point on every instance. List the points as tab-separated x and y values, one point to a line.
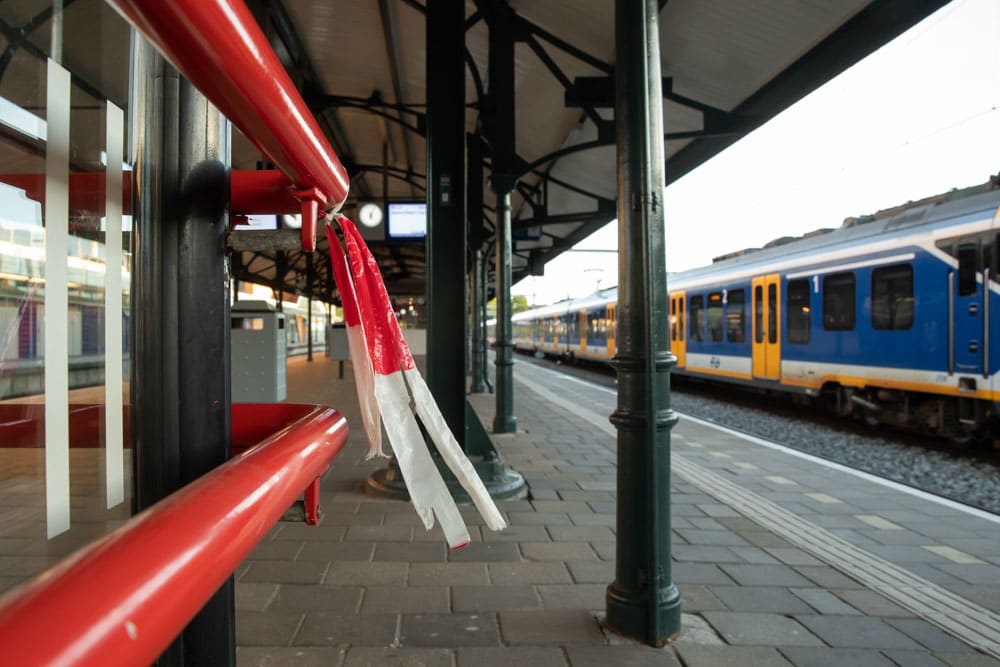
892	317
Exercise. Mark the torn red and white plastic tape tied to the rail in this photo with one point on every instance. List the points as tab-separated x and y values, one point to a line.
396	378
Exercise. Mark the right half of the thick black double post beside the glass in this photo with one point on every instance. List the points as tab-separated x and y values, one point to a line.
203	330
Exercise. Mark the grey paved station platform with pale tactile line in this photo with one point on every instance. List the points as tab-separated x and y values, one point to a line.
780	559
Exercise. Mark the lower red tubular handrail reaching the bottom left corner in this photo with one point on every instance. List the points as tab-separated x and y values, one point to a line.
124	598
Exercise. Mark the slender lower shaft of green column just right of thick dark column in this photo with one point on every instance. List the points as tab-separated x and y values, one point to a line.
504	421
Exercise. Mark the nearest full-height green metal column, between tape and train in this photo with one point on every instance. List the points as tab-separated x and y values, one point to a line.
642	601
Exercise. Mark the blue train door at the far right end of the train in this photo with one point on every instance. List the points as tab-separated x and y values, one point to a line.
967	311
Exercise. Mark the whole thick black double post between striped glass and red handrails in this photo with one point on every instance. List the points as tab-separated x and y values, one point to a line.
180	375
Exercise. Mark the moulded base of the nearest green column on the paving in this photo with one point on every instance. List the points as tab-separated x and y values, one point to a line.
629	614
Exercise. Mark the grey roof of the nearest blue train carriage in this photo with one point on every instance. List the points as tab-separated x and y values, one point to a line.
949	209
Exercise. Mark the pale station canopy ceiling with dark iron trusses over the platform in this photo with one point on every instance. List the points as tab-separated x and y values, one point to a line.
728	66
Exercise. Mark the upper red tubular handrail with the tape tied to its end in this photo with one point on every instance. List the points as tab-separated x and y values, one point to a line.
218	46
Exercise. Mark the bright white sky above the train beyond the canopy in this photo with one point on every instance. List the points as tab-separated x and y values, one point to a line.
916	118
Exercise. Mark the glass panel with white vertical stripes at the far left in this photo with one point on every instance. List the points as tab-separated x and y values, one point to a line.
67	405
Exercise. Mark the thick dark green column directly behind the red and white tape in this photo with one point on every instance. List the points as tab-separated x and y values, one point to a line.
446	208
